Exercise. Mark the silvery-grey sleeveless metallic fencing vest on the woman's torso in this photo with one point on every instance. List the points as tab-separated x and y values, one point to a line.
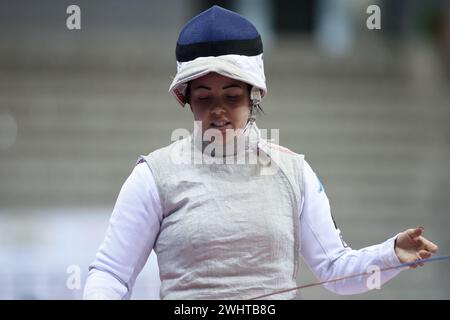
229	231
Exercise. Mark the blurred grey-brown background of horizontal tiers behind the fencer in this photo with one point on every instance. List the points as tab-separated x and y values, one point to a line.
370	109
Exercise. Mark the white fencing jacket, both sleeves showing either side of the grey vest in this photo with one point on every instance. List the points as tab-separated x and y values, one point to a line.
137	216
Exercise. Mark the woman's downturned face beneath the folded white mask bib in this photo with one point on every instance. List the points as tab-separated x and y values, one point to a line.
219	102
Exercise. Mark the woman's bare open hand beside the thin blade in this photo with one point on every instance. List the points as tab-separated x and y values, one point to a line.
410	246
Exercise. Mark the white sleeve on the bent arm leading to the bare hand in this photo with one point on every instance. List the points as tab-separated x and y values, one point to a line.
326	253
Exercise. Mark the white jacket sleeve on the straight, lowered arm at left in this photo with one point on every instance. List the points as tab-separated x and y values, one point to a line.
129	240
